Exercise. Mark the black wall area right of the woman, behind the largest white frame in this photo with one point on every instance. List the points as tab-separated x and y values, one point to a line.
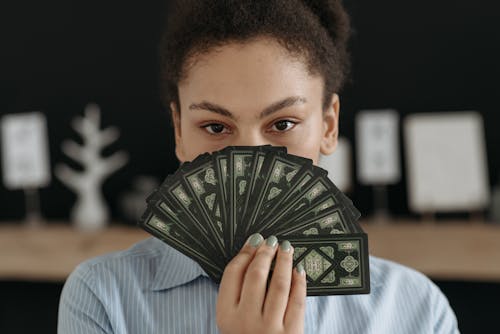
425	56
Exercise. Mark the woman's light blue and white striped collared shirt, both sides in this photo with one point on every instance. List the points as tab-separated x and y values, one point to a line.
152	288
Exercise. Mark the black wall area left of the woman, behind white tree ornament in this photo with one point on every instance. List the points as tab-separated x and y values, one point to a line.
58	56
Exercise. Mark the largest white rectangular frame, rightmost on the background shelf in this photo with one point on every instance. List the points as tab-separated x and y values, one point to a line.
446	162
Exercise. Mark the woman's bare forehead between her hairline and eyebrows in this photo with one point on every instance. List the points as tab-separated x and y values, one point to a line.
241	73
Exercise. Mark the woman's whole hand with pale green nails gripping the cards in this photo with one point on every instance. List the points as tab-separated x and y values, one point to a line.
243	306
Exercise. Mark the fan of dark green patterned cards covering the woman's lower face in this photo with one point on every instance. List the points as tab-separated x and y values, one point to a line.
211	205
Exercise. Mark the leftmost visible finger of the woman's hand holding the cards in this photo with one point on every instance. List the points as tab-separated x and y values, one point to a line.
234	273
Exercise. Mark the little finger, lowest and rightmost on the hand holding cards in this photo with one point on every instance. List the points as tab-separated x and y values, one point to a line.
294	316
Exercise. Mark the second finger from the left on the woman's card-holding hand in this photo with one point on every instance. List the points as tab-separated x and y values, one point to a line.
253	291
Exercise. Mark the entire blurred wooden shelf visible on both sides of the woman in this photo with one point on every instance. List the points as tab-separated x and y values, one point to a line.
447	251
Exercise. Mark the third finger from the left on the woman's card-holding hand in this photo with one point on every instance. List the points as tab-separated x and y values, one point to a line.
279	289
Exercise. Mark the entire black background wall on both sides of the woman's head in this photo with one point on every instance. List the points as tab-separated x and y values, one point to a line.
415	56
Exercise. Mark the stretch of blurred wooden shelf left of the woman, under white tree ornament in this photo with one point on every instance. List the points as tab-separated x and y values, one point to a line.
52	251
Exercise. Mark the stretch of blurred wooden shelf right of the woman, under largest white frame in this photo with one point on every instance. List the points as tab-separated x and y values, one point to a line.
468	251
